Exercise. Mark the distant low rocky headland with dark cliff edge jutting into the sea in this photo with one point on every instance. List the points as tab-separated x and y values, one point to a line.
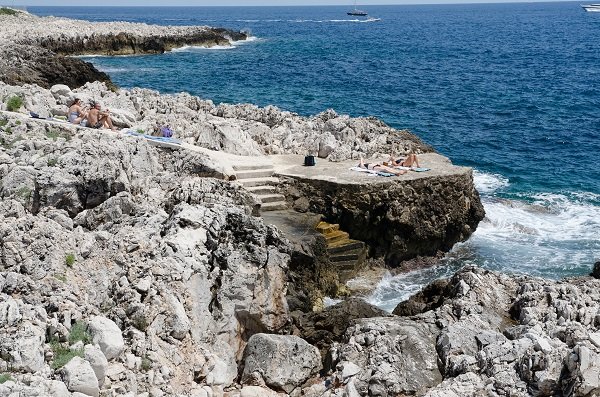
36	50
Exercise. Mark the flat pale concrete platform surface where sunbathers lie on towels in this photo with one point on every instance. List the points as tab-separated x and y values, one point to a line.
291	165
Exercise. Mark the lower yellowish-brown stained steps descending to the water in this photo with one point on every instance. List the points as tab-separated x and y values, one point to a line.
344	253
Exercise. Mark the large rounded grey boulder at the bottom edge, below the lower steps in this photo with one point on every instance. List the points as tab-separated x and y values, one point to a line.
282	362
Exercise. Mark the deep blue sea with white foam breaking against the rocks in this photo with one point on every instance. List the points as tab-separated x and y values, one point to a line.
512	90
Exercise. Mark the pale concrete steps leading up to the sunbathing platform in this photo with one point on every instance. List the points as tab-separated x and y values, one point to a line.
259	180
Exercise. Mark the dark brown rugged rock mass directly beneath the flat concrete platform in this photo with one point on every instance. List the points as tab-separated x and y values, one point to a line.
405	219
